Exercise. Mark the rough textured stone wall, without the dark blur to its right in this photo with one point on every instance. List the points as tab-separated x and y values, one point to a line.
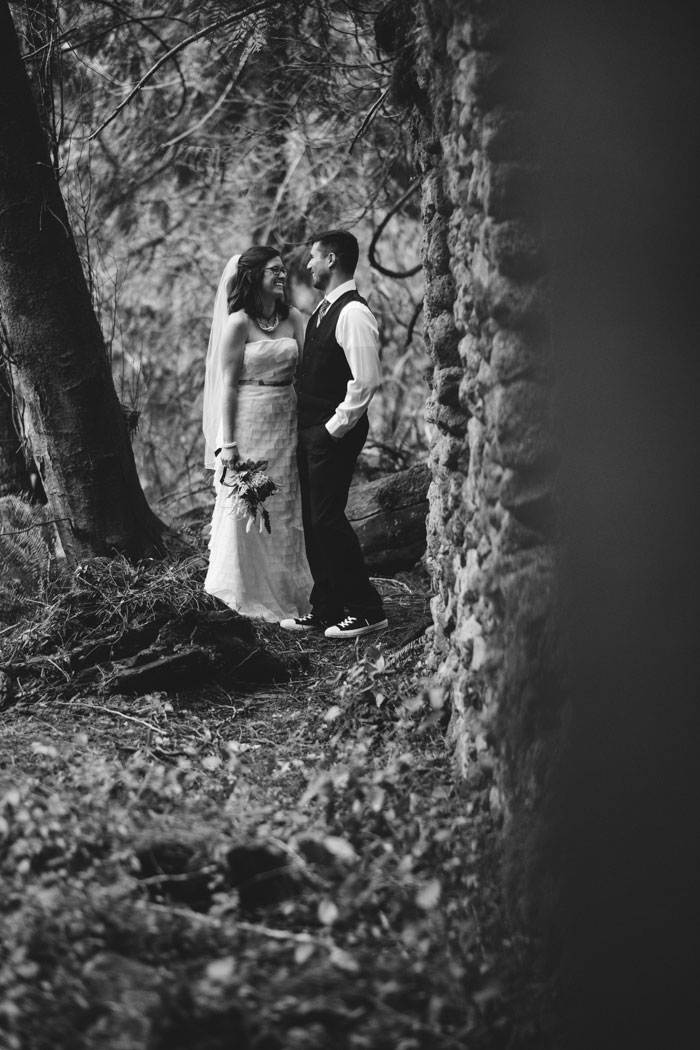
492	519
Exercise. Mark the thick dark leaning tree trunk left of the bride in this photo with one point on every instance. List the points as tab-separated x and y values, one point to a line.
61	372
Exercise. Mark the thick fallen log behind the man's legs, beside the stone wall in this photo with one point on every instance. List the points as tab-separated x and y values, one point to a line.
389	518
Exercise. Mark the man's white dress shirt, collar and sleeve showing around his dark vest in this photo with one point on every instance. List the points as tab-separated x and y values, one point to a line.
357	333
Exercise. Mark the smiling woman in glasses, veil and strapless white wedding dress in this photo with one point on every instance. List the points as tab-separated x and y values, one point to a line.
250	414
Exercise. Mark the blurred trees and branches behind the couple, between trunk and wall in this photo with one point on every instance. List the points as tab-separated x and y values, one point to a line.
182	135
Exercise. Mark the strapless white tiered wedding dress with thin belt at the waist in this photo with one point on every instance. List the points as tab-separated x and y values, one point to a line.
260	574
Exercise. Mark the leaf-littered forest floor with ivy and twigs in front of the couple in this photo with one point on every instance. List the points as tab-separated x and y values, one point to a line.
287	867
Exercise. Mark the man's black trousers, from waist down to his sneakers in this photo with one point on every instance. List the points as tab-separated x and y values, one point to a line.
342	582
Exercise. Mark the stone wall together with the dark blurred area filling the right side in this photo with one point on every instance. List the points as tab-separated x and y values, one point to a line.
576	129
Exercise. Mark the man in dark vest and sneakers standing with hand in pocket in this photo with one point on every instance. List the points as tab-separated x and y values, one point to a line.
338	377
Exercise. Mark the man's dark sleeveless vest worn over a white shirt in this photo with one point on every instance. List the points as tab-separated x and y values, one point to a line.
325	373
